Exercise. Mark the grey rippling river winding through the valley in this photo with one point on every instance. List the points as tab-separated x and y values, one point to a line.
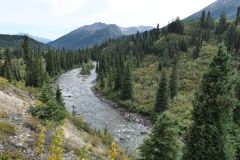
77	91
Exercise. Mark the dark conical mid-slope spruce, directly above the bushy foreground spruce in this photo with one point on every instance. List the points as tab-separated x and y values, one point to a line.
162	99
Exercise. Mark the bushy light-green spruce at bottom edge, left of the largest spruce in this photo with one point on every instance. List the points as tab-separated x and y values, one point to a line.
163	142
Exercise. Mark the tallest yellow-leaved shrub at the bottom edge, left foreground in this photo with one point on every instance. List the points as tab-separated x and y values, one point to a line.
56	147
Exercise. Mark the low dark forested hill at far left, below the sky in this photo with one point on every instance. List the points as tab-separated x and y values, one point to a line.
16	41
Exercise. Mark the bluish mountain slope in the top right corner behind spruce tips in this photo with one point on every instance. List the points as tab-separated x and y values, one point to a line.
216	8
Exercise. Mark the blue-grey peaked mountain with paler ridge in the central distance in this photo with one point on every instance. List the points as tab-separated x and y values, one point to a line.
90	35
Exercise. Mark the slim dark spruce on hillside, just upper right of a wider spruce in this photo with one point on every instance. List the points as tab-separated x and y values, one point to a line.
173	85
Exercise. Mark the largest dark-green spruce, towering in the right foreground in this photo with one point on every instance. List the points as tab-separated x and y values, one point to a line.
210	137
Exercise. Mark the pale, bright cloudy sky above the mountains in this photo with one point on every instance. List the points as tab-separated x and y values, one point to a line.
54	18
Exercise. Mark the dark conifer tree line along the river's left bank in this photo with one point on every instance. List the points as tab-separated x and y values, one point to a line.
33	66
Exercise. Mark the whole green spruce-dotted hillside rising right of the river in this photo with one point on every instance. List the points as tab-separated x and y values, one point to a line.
184	77
